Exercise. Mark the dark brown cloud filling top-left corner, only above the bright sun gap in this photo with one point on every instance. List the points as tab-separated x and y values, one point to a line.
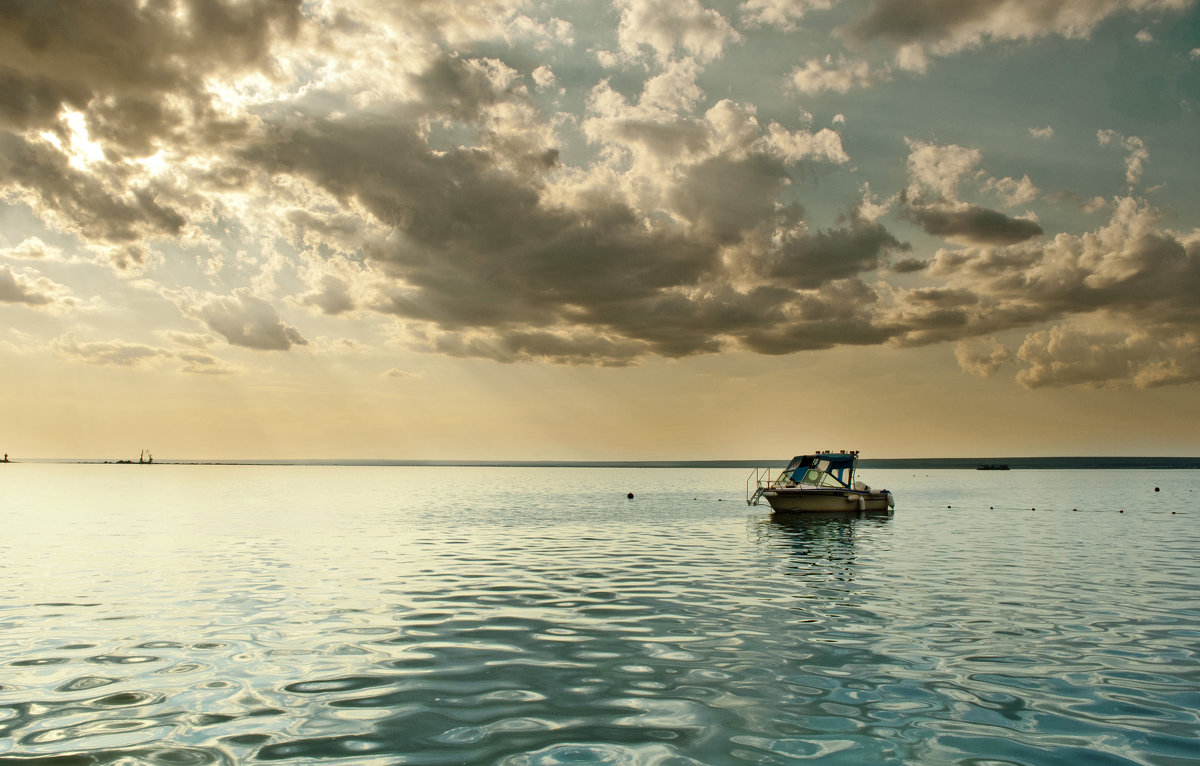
117	61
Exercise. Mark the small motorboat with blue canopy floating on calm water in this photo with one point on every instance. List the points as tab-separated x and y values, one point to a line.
821	482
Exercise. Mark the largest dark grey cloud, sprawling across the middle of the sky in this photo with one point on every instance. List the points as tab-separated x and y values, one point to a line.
472	246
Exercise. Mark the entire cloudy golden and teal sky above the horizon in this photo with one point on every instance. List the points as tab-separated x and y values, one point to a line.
615	230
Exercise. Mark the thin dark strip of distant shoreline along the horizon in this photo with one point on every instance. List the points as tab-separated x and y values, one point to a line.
915	464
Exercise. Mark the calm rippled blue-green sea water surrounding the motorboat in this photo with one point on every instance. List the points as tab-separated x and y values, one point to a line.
189	615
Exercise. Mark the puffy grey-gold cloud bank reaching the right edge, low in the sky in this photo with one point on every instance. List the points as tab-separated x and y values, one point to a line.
1141	285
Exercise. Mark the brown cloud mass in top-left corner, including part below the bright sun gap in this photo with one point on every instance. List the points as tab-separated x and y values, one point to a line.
137	75
